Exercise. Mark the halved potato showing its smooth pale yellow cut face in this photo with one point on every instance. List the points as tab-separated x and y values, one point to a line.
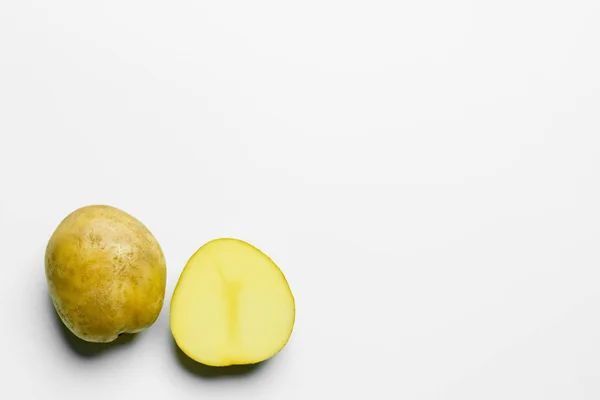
232	305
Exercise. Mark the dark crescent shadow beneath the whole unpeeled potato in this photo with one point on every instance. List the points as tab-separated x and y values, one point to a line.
87	349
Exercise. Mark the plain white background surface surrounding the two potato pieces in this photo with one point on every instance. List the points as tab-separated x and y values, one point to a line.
426	174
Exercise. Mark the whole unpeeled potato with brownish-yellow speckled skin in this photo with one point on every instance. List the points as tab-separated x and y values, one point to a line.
106	273
